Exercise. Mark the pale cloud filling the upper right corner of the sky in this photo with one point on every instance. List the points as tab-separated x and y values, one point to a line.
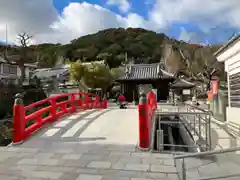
205	13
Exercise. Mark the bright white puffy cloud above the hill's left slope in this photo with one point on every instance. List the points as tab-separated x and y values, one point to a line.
80	19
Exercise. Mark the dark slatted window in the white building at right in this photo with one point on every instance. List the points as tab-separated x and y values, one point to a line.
234	82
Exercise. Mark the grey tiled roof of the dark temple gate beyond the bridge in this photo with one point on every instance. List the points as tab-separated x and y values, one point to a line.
145	71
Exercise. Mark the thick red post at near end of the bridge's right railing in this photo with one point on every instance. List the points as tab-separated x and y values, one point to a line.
144	134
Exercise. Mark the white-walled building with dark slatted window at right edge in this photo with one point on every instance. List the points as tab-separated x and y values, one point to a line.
229	54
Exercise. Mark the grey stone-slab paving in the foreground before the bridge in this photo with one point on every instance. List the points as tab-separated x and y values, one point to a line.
81	162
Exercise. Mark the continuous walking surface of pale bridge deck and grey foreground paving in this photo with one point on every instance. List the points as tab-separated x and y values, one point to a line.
90	145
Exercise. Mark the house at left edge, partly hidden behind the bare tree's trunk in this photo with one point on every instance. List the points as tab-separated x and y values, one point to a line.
10	72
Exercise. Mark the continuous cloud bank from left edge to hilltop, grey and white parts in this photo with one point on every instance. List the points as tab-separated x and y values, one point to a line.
43	22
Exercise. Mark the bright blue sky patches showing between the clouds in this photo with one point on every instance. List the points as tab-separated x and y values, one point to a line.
143	8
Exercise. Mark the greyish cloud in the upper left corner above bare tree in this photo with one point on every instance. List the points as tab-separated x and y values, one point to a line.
32	16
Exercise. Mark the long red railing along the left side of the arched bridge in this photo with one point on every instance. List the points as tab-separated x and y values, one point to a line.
28	119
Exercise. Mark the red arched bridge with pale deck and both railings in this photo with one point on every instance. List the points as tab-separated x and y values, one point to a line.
81	117
